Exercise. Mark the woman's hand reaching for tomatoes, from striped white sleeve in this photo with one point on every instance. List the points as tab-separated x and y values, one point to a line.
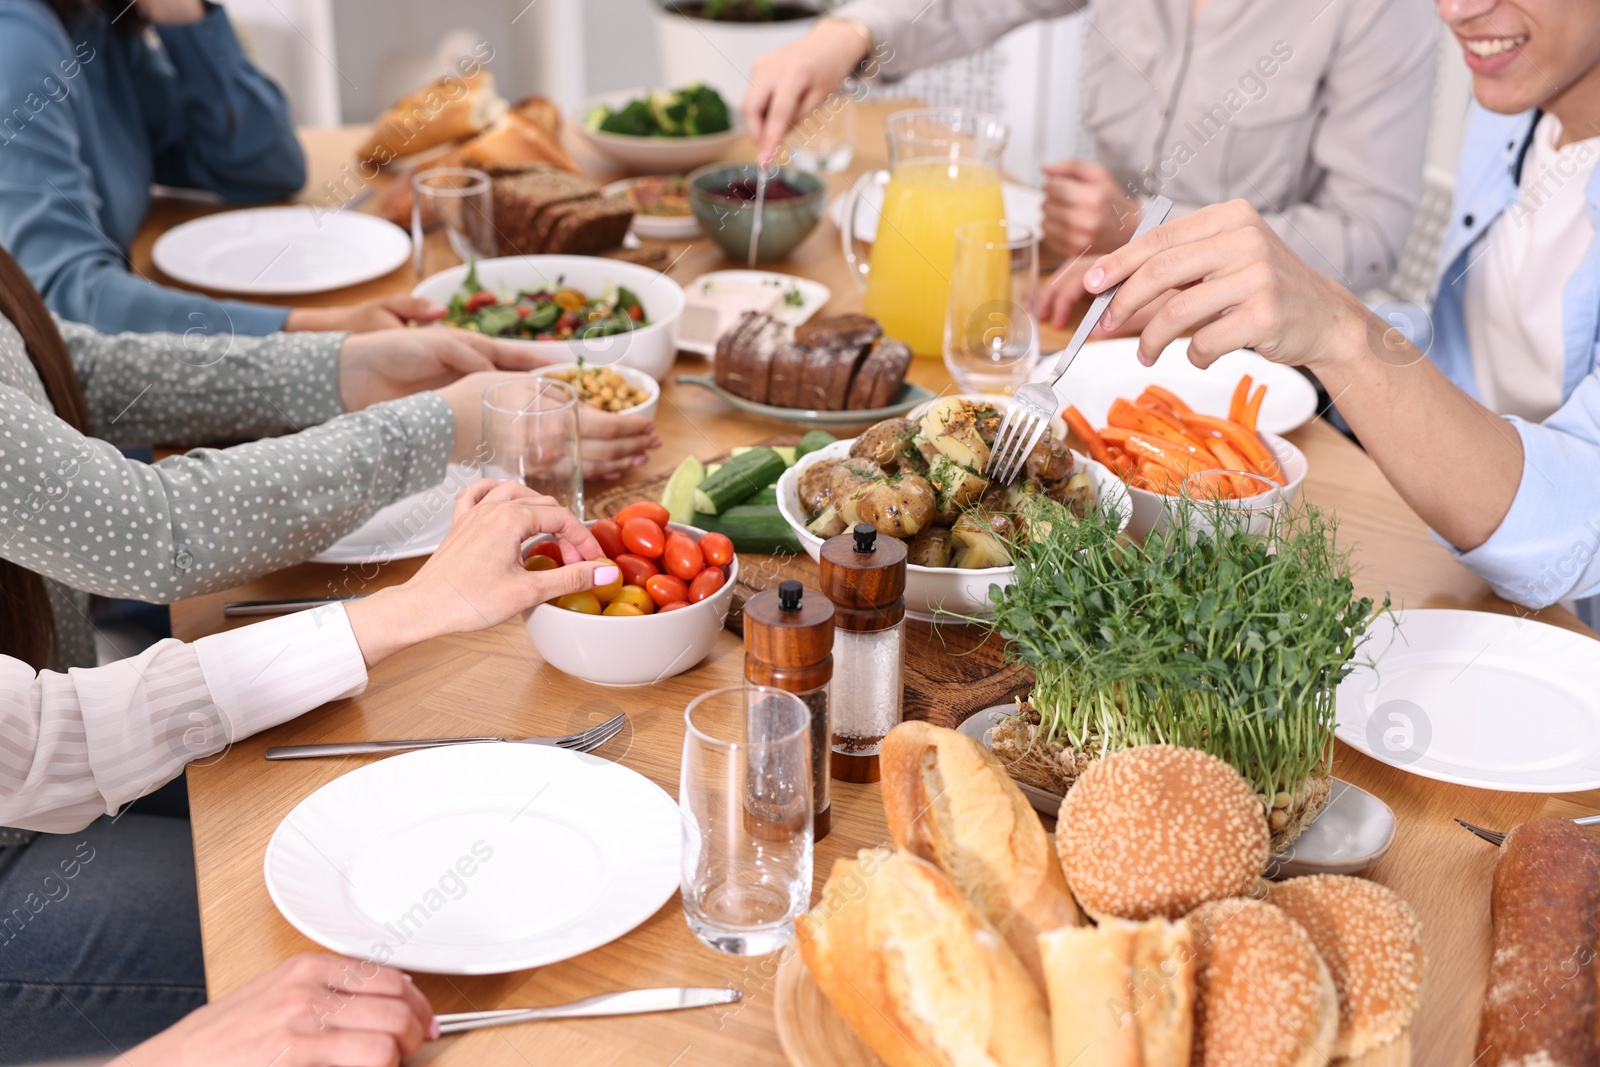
476	578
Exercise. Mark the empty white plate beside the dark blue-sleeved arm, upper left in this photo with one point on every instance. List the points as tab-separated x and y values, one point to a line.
281	250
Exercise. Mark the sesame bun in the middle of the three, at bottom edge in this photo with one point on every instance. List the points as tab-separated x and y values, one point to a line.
1263	996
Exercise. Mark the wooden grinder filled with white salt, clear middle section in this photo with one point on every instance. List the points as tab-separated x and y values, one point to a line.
865	577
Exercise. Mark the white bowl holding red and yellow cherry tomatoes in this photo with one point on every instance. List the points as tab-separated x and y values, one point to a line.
631	650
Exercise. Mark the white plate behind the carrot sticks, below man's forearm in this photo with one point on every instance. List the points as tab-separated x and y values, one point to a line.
1106	370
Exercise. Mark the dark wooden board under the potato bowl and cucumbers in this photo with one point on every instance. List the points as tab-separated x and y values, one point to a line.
951	671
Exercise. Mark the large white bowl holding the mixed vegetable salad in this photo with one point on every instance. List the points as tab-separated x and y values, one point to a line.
649	350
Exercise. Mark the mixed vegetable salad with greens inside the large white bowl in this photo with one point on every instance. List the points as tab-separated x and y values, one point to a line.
546	314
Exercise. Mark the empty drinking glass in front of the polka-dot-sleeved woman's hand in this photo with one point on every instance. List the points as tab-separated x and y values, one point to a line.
530	433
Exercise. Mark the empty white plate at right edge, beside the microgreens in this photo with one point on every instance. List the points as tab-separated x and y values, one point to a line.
1478	700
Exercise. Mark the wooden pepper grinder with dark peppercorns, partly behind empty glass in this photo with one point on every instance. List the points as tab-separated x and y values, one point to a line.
790	645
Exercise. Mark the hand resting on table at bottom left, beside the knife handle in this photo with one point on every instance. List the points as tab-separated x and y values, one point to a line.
308	1012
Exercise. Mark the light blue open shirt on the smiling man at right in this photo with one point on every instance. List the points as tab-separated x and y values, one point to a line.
1548	548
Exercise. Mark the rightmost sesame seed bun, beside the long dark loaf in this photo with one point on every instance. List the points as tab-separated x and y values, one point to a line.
1374	948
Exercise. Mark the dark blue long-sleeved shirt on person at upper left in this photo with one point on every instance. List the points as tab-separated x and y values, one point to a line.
98	116
